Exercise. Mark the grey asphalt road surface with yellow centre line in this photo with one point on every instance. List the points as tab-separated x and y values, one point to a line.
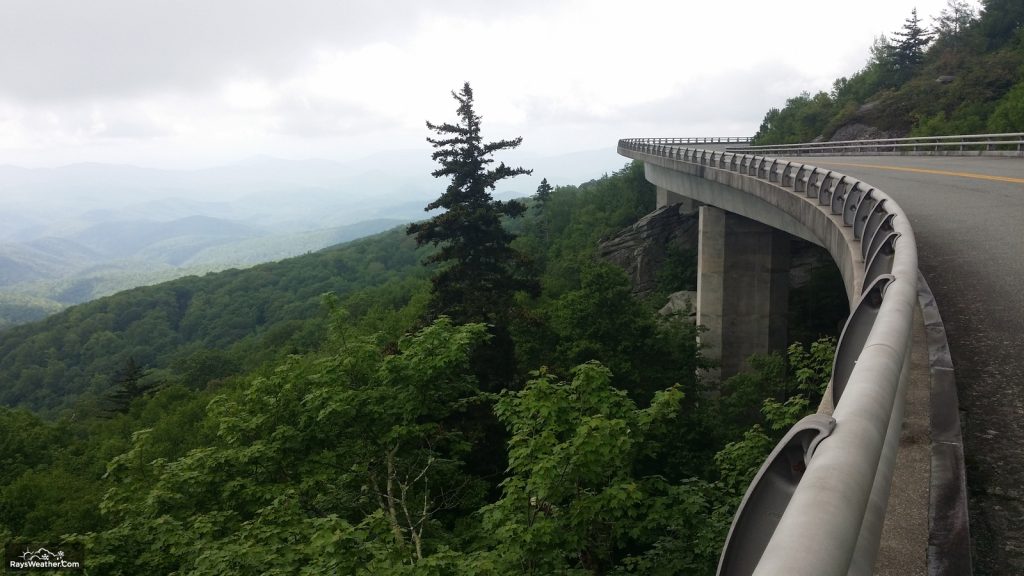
968	216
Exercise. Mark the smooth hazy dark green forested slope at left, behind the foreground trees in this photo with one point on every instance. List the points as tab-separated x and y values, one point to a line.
197	330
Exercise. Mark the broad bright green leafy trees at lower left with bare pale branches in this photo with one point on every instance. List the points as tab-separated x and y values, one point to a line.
327	463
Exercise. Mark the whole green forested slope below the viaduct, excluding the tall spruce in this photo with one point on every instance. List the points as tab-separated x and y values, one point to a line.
242	423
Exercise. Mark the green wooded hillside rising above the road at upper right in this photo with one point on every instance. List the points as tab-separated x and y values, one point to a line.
960	72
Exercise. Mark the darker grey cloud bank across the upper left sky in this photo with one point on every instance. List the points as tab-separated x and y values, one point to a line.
57	51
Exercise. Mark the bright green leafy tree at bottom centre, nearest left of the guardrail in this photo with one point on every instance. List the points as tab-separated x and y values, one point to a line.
573	503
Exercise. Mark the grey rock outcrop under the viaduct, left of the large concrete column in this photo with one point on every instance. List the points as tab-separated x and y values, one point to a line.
643	249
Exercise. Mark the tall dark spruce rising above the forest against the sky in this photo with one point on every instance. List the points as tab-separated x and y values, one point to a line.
481	272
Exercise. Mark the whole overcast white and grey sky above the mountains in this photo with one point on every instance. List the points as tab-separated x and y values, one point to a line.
191	84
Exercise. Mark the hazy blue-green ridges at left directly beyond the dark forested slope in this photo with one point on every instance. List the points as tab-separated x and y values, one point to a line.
46	275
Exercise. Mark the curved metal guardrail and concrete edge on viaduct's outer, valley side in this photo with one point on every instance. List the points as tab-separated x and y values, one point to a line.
818	505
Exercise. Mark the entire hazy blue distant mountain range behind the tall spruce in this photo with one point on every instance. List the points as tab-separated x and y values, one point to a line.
75	233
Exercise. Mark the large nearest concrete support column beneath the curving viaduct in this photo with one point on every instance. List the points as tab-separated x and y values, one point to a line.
743	287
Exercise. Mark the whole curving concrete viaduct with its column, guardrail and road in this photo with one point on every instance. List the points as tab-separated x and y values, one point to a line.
875	483
